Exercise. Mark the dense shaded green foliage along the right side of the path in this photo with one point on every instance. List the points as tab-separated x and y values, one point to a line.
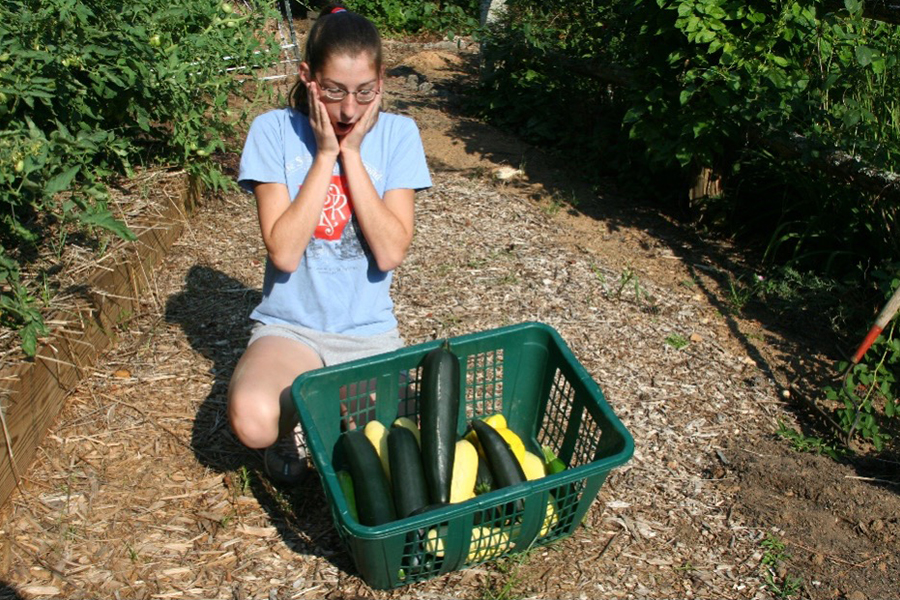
653	91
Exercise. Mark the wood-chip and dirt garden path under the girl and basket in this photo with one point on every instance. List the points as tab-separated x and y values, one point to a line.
141	492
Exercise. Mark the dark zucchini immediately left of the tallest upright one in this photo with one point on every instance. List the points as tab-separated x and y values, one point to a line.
408	475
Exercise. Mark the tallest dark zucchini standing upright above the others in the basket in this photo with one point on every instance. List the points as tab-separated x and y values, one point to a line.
438	417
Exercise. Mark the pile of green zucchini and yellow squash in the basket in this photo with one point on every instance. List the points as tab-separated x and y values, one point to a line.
403	470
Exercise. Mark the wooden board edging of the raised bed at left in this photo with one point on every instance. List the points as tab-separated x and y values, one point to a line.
33	393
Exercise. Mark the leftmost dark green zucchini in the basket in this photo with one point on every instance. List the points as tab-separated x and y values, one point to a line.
370	485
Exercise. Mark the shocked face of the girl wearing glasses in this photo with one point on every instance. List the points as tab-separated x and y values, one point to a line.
349	74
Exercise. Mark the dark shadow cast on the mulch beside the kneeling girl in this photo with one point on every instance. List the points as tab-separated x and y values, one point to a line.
213	310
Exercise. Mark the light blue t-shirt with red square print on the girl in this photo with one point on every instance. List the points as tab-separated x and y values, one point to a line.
338	287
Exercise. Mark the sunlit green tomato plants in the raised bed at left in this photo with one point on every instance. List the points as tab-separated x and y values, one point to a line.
91	88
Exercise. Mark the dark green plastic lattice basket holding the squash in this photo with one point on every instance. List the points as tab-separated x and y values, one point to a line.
527	373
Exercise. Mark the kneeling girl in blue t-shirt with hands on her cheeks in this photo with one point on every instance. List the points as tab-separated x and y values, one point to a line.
334	181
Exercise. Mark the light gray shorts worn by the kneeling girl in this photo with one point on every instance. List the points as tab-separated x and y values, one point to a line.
332	348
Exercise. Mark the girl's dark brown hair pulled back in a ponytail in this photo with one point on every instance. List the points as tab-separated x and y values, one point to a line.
336	32
